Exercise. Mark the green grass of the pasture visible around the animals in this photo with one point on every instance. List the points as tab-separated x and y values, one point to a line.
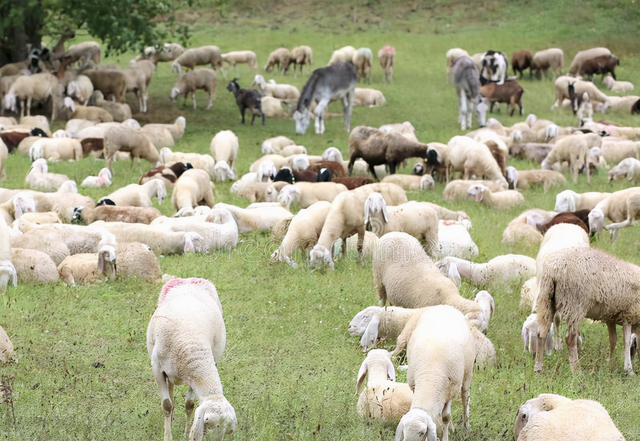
290	366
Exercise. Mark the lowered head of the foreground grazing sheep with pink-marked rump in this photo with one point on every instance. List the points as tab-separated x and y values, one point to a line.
214	415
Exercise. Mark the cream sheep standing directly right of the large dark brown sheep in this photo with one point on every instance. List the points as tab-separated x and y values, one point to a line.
473	158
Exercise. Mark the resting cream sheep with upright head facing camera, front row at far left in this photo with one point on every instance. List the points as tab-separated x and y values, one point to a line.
89	268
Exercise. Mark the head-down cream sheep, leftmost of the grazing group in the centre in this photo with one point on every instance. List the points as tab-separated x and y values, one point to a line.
303	232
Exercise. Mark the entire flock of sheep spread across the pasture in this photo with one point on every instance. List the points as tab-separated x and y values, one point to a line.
420	251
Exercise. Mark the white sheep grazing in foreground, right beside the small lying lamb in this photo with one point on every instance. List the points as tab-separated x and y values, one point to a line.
442	336
